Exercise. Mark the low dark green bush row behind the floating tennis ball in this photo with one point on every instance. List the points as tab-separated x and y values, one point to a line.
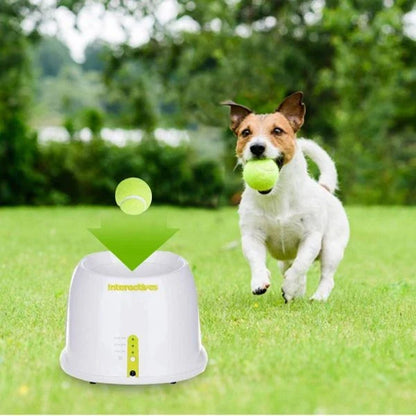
88	173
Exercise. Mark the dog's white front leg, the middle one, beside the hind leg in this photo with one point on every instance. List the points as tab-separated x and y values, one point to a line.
294	284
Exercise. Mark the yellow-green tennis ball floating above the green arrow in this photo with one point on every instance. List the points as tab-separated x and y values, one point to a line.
133	196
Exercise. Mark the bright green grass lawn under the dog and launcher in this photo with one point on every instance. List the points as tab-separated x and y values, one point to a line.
354	354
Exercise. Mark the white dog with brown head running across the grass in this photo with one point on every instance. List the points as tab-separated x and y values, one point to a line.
299	220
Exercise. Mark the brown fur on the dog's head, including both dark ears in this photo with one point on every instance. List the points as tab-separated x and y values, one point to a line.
279	128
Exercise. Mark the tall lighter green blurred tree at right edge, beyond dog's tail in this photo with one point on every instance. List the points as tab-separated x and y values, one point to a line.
372	78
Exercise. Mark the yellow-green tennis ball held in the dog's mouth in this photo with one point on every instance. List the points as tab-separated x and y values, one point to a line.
261	175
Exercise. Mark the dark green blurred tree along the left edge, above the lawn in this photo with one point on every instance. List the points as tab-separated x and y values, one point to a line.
18	146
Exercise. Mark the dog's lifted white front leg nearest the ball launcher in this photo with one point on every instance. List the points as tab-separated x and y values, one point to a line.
254	249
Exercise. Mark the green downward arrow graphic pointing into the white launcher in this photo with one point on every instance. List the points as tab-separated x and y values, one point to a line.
132	239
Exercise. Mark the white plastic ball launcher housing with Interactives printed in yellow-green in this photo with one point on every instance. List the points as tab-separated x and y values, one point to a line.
109	306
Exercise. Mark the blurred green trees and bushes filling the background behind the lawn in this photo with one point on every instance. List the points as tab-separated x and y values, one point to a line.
352	59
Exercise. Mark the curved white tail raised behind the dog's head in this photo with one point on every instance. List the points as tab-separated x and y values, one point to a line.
328	177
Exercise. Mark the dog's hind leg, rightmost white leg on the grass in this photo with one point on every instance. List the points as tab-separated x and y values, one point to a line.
331	256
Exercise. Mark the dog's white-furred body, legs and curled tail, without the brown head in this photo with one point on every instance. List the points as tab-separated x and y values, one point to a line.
297	221
